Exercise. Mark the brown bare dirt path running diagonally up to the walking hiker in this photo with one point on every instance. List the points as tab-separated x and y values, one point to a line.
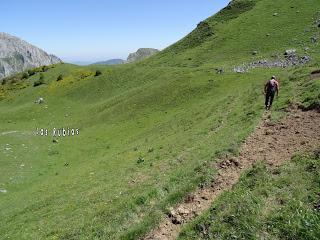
272	143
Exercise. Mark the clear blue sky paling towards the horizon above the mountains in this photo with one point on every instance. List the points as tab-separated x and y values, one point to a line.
93	30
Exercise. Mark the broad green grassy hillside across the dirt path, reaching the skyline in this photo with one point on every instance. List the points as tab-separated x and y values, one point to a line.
148	130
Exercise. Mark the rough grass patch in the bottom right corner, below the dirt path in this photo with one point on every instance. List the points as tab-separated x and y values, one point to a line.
282	203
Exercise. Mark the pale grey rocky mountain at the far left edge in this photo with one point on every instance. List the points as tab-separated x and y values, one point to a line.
17	55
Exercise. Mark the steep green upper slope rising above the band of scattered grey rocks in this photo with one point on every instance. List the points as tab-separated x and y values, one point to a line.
254	30
